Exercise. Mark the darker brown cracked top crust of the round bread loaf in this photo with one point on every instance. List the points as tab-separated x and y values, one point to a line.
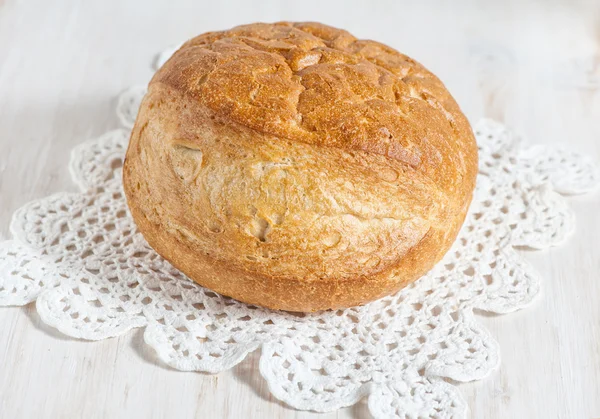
320	85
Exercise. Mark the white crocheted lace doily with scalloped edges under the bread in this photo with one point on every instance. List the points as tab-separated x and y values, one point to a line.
92	275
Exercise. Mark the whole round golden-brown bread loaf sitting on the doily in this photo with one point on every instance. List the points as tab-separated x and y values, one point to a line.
295	167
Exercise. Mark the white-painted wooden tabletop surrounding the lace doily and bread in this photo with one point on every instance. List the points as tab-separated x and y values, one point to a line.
534	66
